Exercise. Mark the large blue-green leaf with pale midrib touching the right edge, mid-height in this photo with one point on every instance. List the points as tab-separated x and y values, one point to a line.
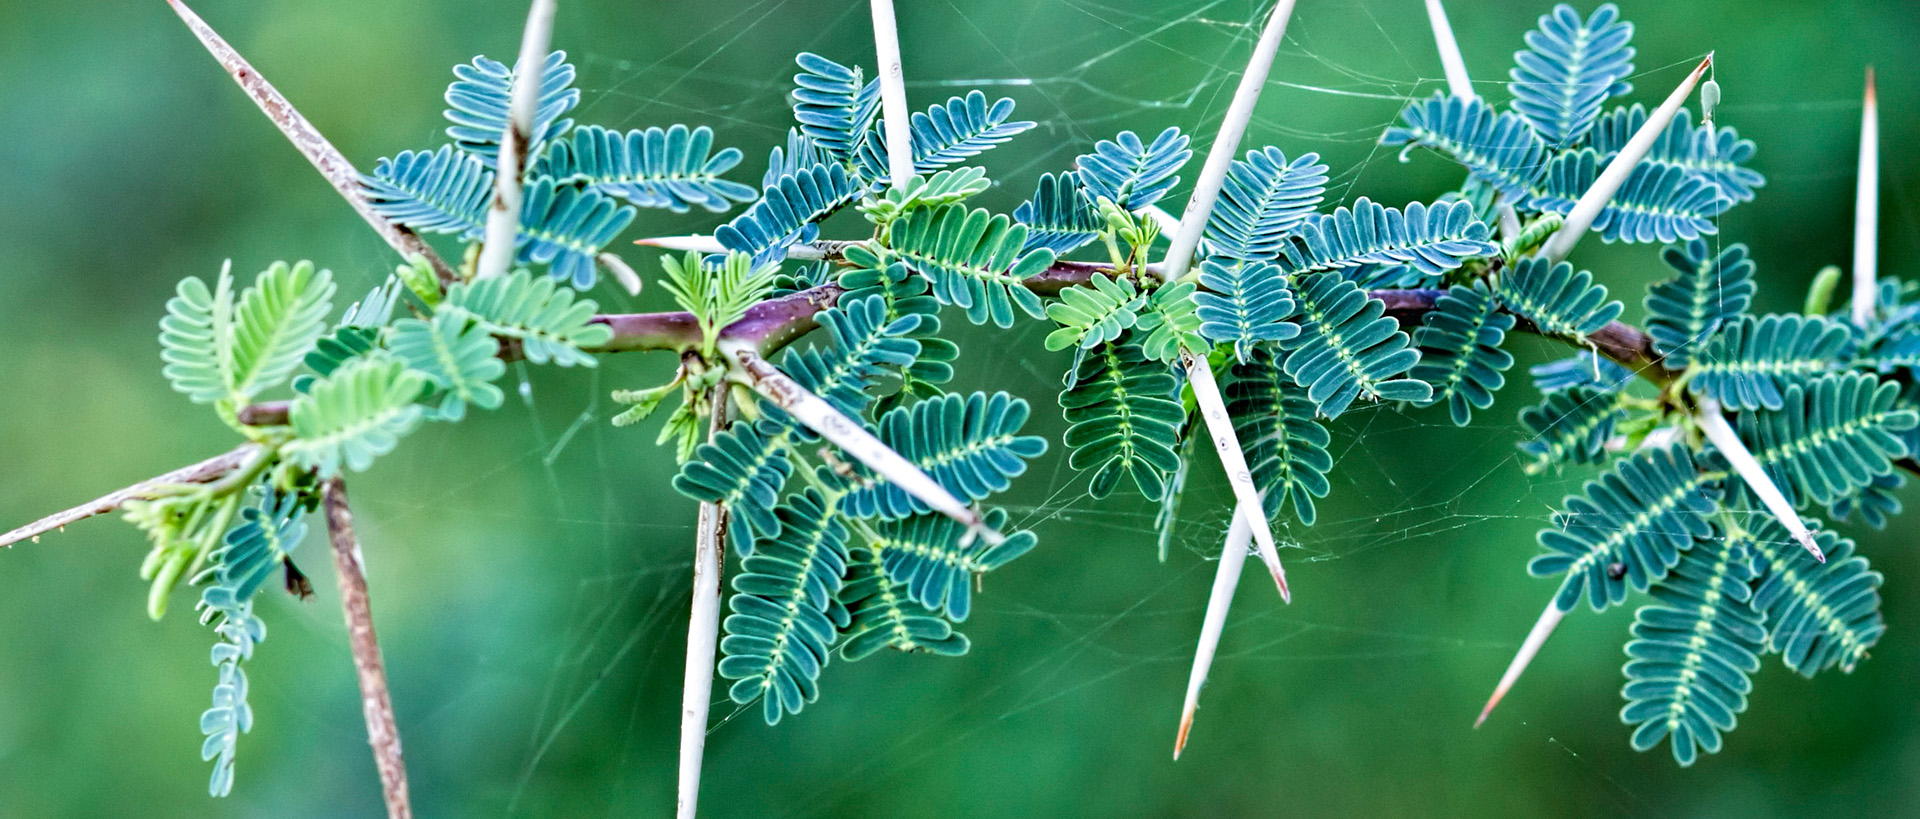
1831	438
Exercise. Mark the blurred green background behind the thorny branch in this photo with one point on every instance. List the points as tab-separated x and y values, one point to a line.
531	567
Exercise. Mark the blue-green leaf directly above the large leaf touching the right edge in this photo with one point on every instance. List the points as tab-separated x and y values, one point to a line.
1752	362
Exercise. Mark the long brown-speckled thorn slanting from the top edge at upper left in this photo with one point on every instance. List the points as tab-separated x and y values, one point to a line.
325	158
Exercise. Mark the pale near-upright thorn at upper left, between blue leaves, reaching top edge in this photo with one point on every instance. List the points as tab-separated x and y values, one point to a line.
504	218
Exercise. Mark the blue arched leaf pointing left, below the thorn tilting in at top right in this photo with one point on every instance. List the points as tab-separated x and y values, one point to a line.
1497	149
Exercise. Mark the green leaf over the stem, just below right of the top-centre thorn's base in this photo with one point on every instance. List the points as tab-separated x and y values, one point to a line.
974	260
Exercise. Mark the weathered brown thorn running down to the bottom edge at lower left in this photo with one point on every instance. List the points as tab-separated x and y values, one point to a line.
377	705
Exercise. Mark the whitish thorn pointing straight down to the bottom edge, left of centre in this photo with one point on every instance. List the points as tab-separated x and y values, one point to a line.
704	634
